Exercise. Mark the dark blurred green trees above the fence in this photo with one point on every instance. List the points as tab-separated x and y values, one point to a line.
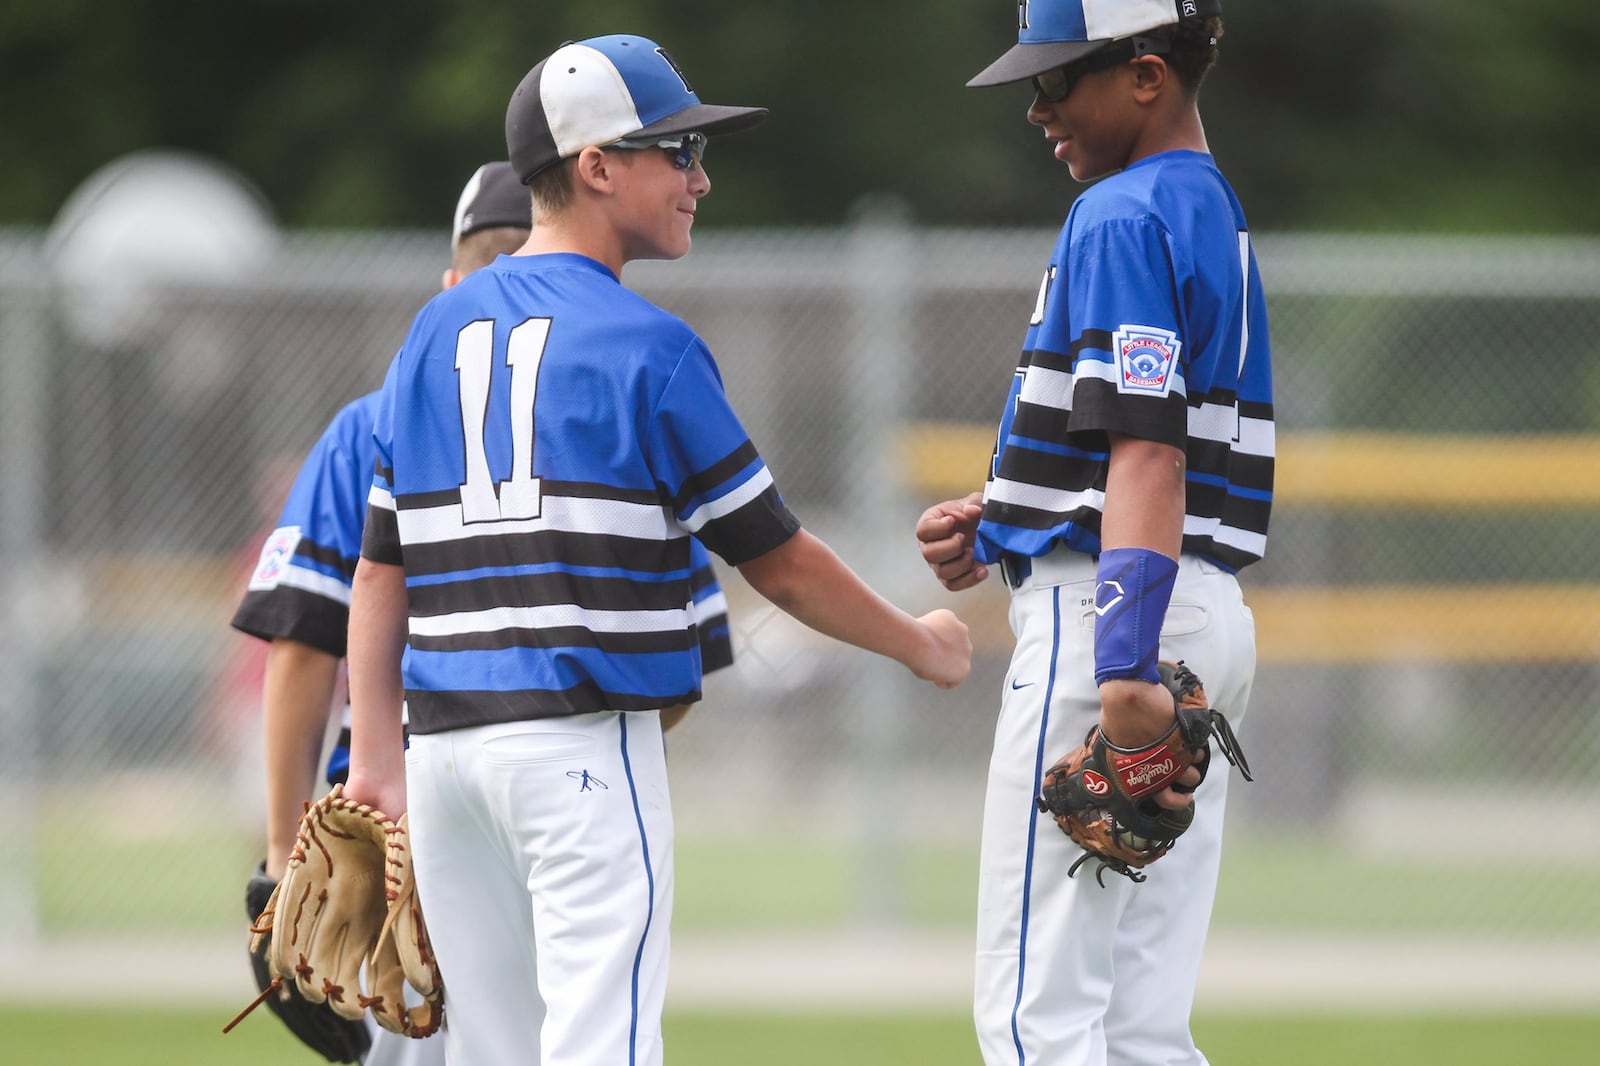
1372	114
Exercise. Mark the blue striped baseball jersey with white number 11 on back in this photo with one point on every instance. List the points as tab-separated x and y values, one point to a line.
548	446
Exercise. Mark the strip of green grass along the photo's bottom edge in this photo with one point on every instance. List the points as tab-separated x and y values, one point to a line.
63	1036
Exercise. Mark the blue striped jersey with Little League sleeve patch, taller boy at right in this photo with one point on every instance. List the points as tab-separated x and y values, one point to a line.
1151	323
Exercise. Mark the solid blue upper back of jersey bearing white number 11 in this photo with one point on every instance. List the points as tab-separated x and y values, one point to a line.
559	340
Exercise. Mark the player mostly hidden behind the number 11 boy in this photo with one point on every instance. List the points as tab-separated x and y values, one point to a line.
298	601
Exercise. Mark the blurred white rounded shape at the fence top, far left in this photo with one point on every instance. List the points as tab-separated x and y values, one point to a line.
150	222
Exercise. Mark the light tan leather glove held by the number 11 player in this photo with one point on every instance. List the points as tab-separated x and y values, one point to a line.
348	899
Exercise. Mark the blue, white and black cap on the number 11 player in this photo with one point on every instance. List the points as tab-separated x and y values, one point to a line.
601	90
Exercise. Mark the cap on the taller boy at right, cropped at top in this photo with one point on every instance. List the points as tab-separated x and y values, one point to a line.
1057	33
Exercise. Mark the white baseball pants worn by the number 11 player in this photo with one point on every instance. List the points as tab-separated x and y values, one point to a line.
543	862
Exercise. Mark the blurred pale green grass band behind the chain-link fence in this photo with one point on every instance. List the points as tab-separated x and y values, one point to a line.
788	883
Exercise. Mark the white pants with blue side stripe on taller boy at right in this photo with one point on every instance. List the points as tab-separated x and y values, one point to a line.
1070	972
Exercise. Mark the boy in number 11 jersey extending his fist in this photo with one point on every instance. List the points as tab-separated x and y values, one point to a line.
548	443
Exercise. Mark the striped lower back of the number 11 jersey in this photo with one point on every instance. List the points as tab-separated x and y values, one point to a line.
586	620
